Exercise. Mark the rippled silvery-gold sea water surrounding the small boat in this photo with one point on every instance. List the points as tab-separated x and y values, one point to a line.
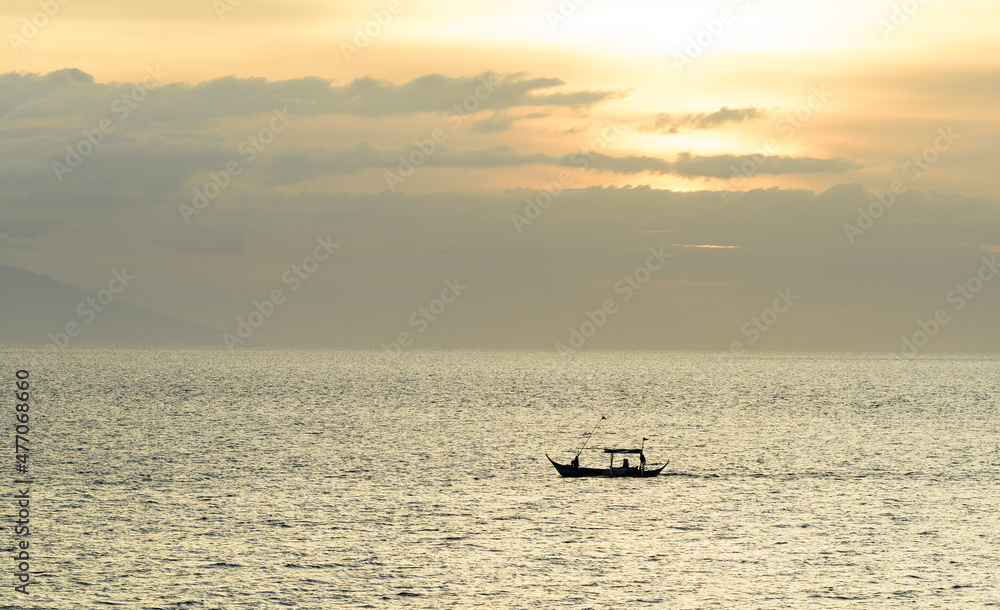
267	479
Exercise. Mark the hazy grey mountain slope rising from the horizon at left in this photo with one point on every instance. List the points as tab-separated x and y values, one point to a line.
35	308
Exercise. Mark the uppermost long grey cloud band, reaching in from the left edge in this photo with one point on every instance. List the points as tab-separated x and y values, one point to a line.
75	93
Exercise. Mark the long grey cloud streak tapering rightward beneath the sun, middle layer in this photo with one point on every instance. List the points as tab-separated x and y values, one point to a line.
162	166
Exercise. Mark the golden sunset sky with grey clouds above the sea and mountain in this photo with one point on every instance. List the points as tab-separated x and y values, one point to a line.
572	175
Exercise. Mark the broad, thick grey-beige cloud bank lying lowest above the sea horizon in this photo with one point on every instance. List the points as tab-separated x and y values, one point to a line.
527	288
